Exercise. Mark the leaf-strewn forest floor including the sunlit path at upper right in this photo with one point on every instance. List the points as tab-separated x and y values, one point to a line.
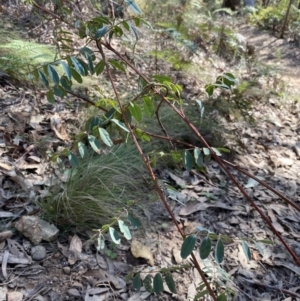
270	149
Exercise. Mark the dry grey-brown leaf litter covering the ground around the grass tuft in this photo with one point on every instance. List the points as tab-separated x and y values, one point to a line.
272	152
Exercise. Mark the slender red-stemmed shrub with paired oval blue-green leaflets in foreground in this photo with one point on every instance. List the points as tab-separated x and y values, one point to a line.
119	119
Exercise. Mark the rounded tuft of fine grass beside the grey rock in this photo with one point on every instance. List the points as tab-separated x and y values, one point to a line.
99	189
